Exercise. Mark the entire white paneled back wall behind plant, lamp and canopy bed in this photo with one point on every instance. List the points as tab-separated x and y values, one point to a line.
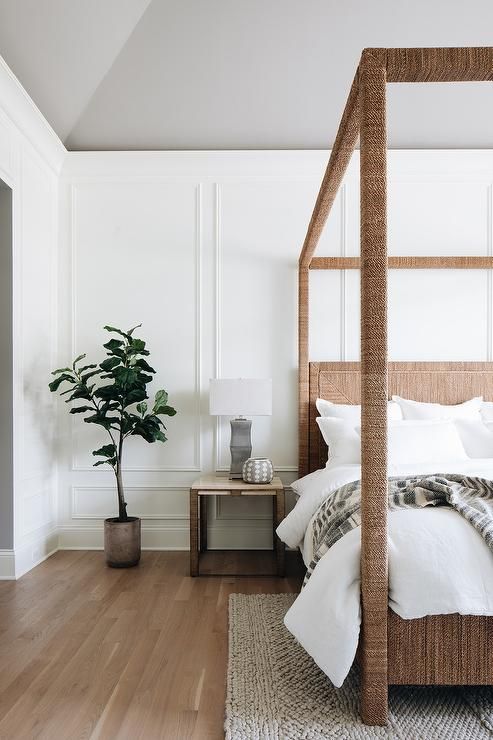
203	249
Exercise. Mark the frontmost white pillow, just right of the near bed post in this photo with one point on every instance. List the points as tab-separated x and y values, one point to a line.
423	441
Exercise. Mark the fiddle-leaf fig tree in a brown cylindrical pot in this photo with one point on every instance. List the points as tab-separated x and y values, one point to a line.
119	405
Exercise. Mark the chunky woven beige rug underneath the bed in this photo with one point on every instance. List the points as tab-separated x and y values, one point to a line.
275	690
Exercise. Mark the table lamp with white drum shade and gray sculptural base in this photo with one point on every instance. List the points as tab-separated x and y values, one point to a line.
240	397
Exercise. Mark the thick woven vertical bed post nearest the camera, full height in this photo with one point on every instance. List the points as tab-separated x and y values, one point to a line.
374	570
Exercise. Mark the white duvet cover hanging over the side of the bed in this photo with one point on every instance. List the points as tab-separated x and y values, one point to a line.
438	564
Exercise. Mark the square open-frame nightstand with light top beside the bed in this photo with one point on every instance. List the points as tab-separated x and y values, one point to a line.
220	486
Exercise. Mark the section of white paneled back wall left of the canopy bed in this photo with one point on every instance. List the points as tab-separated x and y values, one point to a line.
198	248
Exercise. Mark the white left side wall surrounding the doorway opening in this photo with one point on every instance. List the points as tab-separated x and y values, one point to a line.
30	159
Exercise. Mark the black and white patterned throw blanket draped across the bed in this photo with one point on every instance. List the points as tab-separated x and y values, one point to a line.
340	512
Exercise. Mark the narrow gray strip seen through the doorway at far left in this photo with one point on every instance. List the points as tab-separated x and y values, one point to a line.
6	443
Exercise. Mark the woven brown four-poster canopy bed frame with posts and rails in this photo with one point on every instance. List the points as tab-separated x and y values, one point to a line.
449	649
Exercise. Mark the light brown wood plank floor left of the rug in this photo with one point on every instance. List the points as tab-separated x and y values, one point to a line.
91	652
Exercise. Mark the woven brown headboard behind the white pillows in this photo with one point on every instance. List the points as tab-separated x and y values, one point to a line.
439	382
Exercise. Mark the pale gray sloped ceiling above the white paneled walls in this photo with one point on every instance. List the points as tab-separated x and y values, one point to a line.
236	74
